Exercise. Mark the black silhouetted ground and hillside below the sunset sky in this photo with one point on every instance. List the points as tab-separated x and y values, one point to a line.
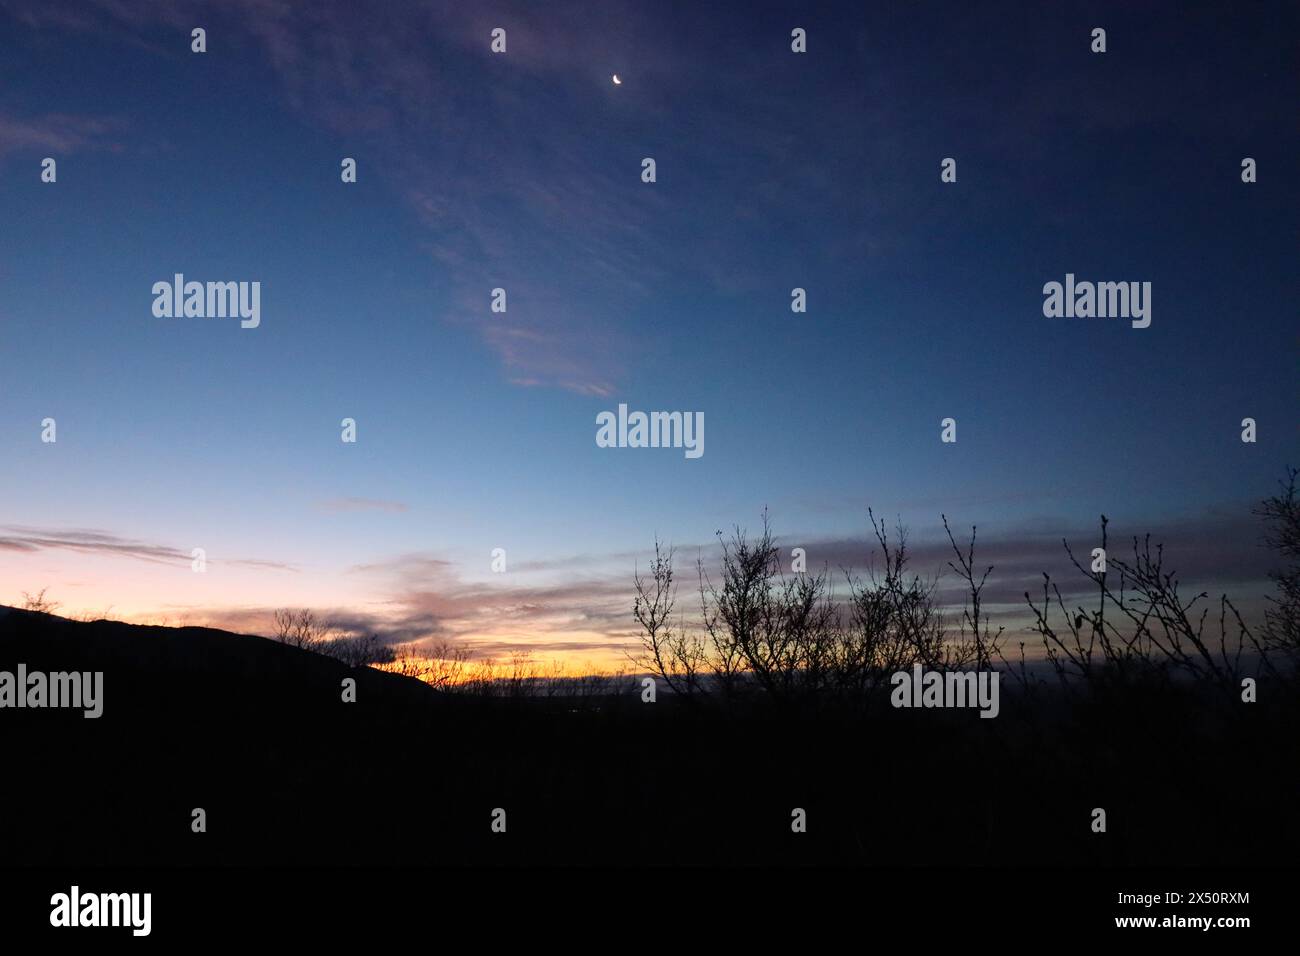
257	736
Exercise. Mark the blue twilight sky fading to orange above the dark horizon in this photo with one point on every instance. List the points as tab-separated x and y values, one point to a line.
523	171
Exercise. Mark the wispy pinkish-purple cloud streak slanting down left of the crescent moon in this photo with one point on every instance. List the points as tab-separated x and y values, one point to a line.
509	228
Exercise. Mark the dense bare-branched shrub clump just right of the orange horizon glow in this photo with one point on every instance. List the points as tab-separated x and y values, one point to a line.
794	638
